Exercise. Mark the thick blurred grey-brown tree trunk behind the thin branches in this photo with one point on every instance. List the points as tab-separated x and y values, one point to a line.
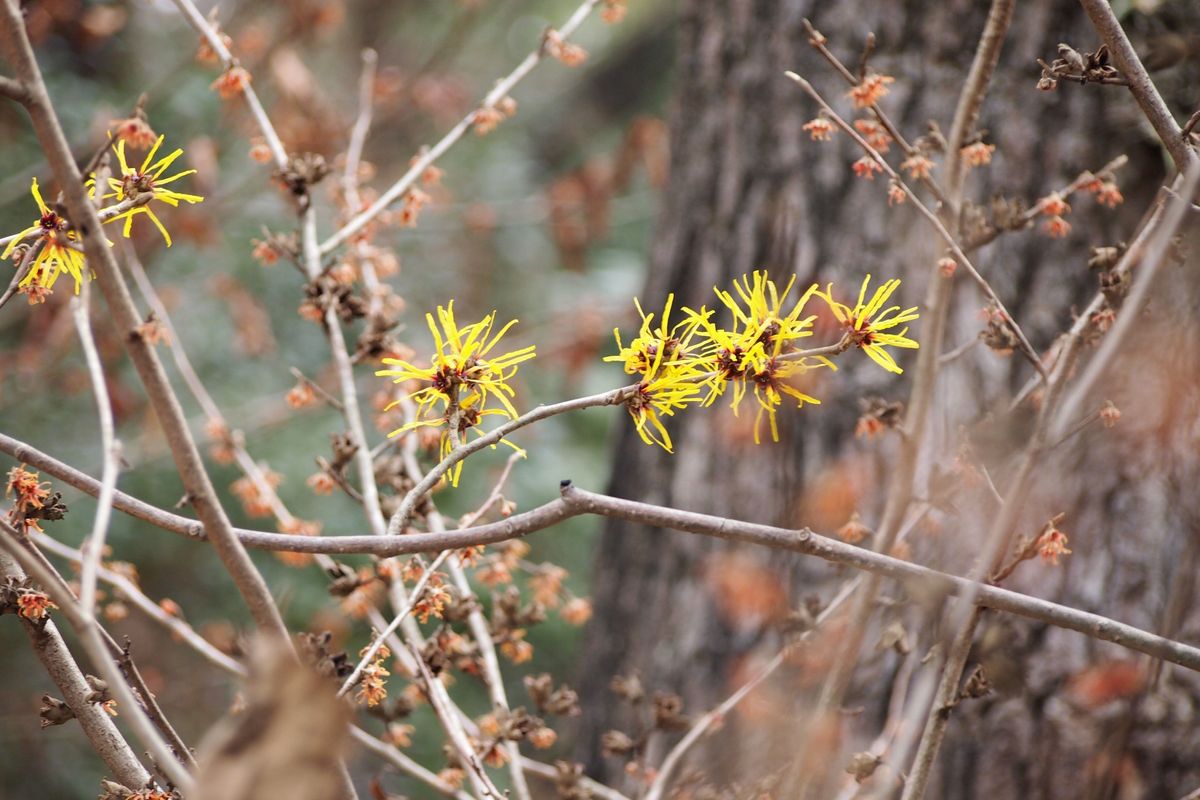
749	191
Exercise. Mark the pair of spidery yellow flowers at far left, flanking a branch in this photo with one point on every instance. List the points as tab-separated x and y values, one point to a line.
59	249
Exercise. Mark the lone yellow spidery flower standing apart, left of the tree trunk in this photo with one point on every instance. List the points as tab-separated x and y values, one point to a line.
465	375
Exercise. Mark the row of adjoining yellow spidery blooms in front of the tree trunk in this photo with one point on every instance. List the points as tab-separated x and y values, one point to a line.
695	360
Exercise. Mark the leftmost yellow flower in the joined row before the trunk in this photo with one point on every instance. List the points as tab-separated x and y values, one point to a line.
673	375
